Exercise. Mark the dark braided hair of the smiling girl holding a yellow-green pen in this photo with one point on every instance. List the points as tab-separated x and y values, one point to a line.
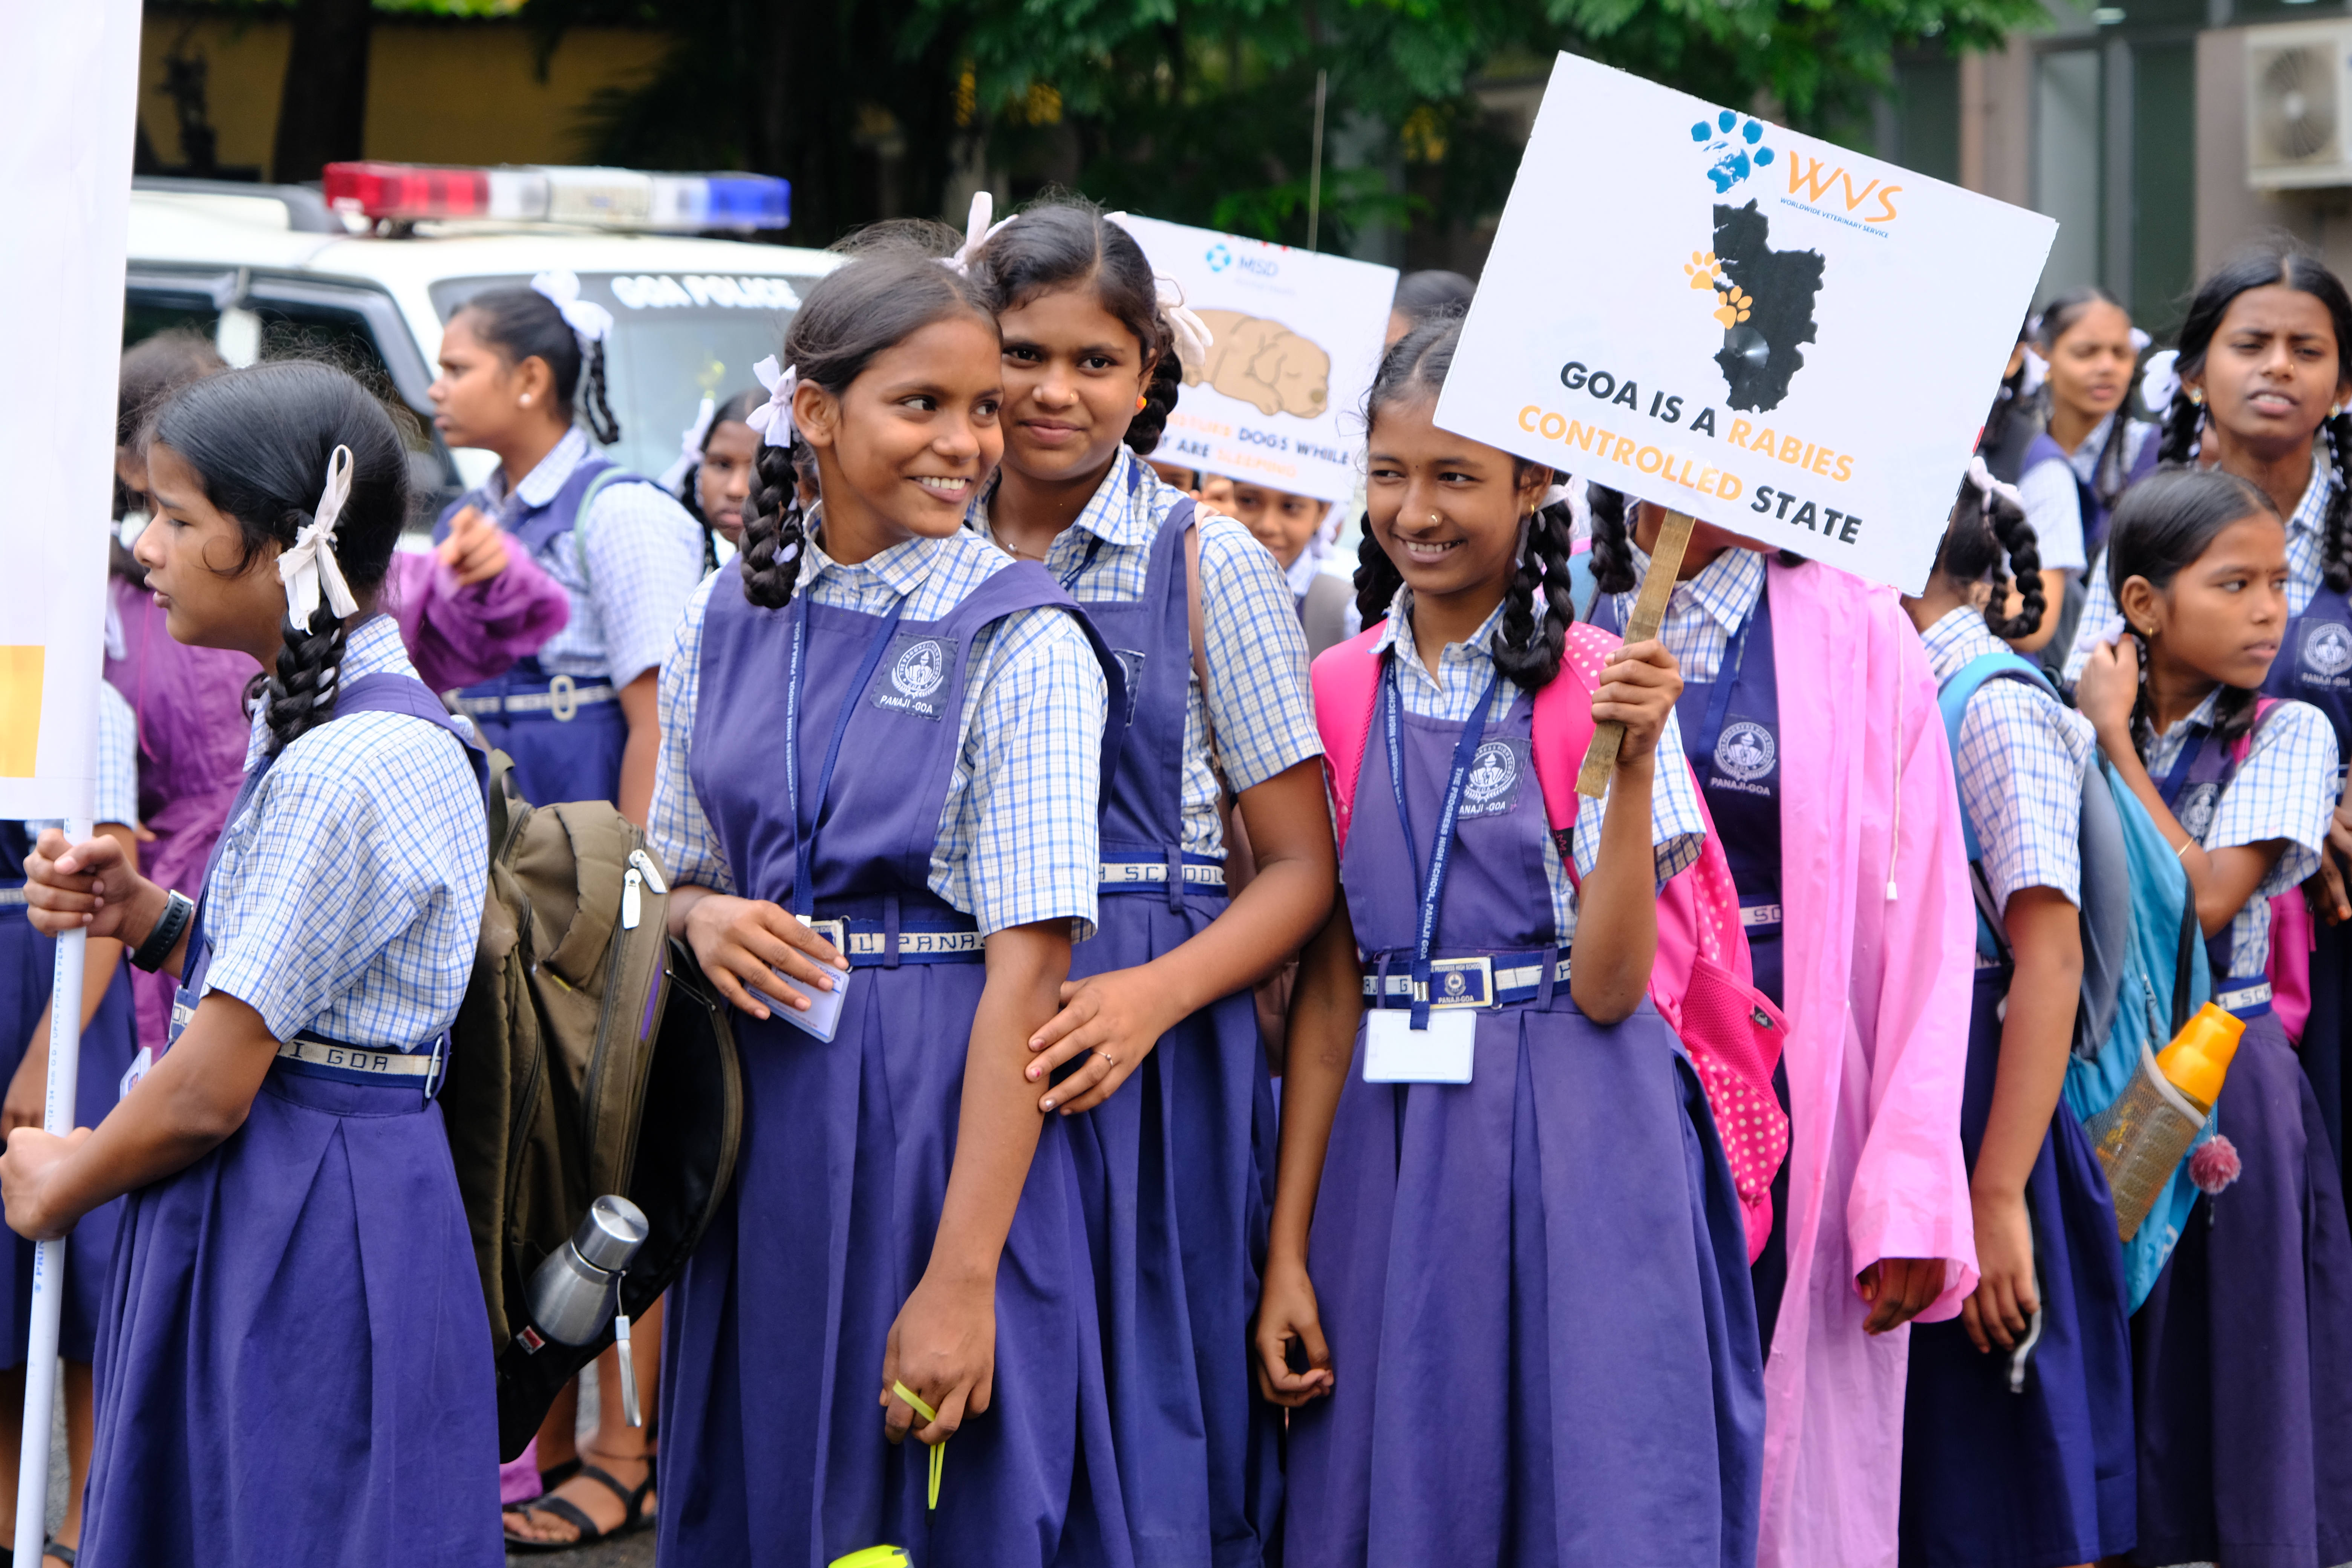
848	319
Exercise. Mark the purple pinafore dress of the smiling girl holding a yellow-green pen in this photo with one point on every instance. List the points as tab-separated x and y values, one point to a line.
773	1447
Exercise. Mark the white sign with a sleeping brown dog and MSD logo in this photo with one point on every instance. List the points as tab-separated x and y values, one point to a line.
1297	342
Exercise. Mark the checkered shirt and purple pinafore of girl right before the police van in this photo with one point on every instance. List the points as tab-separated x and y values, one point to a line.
629	561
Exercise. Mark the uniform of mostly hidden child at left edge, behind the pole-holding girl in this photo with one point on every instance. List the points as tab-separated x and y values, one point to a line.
109	1043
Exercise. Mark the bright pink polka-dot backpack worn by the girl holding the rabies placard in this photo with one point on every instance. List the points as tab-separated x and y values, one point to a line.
1704	981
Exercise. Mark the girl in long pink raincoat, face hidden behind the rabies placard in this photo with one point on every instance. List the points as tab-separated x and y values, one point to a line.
1838	817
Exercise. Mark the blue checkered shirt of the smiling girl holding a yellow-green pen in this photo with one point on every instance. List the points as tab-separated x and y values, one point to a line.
1017	836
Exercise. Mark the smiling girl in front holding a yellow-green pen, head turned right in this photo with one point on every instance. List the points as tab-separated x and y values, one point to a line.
904	1226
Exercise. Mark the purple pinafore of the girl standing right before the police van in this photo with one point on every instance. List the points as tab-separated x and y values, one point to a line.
563	749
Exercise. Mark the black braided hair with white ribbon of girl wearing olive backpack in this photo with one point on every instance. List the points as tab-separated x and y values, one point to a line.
260	441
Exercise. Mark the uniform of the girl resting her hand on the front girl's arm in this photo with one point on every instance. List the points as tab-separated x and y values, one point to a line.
1180	1165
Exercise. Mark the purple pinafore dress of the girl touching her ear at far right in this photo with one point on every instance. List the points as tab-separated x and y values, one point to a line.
2243	1351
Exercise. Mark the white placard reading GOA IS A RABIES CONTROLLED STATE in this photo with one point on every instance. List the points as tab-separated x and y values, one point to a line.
1742	323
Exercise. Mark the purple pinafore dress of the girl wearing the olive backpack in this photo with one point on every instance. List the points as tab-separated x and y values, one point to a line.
295	1358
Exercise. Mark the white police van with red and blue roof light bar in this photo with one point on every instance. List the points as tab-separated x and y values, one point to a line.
373	264
